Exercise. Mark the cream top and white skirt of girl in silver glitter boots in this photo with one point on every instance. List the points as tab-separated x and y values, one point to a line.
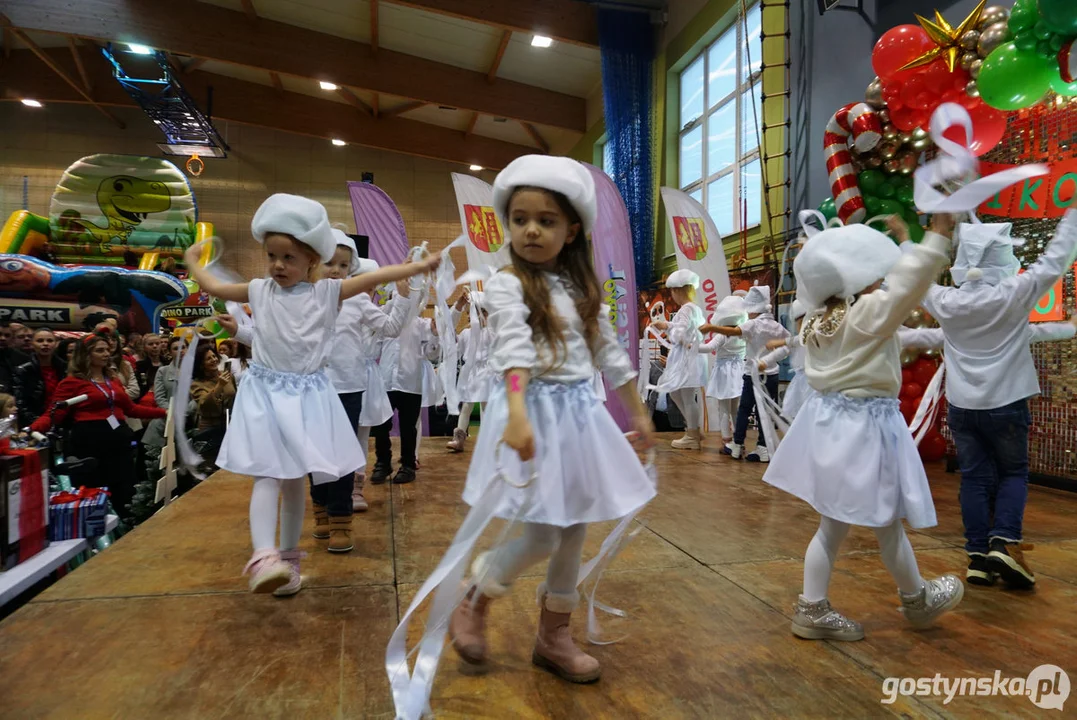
849	454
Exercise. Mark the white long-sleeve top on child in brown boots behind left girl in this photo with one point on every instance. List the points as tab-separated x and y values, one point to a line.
357	342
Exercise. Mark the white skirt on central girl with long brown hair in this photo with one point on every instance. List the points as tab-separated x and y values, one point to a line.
586	470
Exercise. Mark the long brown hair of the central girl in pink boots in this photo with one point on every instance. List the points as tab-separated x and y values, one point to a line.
575	261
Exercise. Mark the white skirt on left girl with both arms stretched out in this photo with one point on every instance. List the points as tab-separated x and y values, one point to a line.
288	426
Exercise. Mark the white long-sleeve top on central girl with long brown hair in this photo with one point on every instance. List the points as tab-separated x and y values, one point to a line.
513	345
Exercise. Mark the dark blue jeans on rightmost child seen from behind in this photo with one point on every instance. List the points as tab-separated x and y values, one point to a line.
994	457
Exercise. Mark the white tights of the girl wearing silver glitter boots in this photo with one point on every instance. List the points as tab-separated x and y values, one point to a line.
823	552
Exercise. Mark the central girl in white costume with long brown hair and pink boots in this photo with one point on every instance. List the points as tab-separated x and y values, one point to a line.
549	331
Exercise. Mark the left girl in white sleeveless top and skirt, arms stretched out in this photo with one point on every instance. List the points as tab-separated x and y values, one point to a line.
288	421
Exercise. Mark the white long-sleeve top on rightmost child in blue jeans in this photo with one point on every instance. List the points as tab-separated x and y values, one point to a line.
989	363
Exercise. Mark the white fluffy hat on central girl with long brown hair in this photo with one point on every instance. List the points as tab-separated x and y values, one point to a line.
561	175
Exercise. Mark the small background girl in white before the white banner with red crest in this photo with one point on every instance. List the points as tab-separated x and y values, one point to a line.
686	368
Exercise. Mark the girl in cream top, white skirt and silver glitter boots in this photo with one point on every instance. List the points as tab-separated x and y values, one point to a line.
849	454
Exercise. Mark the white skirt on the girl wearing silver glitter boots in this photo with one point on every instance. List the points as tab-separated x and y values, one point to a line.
855	461
